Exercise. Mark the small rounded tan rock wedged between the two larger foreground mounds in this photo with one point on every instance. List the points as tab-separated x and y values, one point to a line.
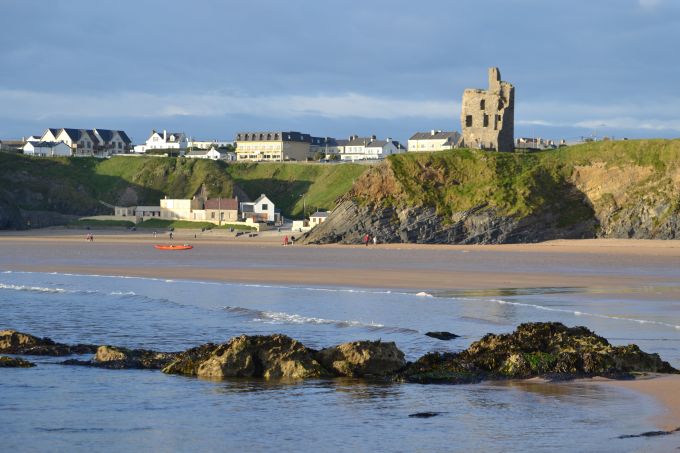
363	358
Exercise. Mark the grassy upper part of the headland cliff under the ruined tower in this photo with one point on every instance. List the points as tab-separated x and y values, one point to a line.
604	177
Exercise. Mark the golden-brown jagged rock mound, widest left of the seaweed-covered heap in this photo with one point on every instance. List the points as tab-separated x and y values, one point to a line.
270	357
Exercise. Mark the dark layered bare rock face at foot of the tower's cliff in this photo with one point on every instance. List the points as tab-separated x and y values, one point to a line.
350	222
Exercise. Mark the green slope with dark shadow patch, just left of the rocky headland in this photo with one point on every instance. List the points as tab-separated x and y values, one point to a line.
286	183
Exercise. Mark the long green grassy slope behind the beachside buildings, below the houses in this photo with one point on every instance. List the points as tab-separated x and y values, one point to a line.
76	185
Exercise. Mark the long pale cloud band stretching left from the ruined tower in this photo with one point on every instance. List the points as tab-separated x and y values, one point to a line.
21	104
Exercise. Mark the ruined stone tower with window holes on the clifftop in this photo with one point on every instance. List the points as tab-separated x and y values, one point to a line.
488	116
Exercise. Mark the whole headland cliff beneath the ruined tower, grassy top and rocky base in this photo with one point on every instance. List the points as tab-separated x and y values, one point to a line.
626	189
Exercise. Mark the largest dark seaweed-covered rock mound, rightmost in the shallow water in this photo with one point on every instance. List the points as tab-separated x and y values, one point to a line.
536	349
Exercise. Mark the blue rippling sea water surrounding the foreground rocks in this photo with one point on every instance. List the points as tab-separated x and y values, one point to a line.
59	408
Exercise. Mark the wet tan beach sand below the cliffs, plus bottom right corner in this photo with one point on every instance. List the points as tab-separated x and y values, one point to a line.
628	268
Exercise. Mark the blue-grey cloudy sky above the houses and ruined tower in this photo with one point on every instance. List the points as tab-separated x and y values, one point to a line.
336	68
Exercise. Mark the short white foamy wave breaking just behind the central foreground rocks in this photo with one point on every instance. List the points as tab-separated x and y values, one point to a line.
273	317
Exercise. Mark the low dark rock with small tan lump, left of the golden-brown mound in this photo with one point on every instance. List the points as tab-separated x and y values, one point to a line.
116	358
